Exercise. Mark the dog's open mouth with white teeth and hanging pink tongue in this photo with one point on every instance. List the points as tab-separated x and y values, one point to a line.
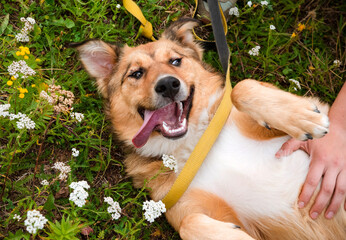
171	120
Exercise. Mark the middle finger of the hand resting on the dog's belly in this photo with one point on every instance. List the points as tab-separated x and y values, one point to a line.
325	193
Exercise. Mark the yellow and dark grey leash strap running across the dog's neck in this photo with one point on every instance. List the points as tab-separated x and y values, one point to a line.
213	130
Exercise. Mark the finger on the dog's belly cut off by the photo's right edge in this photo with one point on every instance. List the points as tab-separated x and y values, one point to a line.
338	197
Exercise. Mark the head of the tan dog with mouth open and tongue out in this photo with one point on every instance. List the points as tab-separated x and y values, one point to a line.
156	92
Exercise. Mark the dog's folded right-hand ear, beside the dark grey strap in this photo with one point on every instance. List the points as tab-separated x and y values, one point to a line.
180	31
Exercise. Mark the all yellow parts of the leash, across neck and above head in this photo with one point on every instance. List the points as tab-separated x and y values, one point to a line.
211	133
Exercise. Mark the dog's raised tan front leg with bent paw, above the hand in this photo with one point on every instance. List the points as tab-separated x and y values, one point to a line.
270	107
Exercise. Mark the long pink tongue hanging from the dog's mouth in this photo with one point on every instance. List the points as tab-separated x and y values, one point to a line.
151	120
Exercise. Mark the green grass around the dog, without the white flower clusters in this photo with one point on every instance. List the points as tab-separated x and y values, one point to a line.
26	156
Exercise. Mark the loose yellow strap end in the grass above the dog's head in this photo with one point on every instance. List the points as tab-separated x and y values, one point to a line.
146	29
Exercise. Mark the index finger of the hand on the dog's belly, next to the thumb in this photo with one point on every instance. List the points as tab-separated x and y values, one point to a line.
312	180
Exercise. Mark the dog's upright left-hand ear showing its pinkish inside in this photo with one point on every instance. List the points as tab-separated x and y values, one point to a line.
99	59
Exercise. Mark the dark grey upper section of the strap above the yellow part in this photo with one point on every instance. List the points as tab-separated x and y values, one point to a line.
219	33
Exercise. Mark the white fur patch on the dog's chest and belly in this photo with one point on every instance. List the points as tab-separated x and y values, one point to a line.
246	174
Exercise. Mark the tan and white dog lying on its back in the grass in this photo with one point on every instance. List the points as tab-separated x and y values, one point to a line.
160	97
